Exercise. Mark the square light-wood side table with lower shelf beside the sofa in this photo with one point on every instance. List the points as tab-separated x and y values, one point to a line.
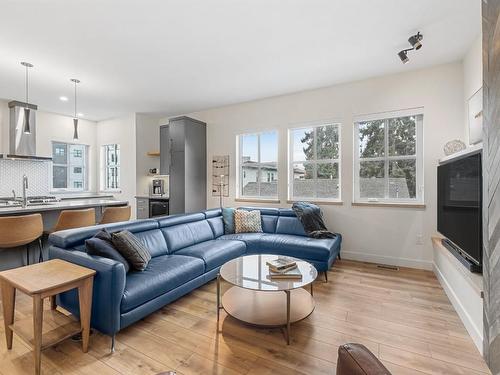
40	281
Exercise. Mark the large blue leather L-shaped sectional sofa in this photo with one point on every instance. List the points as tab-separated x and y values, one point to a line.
187	252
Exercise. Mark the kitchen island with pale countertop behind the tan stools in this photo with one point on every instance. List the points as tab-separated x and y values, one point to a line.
14	257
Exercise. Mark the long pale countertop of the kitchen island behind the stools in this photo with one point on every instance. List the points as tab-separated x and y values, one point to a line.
62	205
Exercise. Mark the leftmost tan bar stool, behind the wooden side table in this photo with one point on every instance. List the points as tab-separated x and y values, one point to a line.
21	231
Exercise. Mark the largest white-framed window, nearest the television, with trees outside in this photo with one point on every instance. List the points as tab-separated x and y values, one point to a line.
388	157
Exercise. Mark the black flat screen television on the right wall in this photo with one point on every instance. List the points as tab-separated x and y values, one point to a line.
460	208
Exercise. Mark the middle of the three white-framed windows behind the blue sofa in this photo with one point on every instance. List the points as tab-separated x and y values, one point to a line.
314	162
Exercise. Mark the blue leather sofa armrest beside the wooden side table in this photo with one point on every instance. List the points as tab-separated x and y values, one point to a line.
109	284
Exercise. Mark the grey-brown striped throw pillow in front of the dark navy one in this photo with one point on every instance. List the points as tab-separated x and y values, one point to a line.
132	249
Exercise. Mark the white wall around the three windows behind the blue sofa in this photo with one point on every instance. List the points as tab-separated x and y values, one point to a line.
378	234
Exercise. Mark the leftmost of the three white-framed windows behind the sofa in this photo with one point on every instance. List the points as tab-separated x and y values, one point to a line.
258	165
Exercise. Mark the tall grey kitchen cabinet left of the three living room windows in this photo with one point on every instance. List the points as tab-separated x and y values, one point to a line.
183	156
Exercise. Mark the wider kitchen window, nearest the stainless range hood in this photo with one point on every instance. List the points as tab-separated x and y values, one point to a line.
69	166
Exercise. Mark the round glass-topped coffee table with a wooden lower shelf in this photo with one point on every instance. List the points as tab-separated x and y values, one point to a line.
256	299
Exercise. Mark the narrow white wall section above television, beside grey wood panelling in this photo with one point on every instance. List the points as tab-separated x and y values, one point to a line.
473	76
